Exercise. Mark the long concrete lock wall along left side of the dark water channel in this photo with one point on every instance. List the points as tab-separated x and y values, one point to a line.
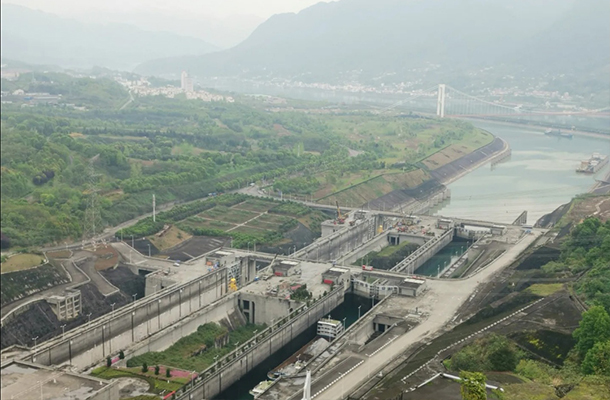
232	371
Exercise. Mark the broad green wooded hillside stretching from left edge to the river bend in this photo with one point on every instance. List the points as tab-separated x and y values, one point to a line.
46	150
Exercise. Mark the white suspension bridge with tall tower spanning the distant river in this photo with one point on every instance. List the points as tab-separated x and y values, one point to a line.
451	102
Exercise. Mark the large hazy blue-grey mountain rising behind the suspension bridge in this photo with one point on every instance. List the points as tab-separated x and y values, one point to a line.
401	38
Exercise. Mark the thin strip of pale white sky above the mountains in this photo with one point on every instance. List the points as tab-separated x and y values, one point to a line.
183	8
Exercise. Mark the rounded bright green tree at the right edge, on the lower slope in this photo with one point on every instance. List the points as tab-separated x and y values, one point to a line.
593	328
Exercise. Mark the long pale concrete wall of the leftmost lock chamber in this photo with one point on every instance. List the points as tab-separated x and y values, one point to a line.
107	335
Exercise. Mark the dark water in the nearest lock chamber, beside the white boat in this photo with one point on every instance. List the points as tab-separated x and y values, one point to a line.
348	310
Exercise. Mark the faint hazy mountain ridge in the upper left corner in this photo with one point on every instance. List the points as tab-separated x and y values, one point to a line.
37	37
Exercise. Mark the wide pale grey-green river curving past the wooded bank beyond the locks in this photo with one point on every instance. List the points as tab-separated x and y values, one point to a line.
539	176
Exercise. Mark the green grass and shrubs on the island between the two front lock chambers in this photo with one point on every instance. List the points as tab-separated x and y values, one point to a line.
197	351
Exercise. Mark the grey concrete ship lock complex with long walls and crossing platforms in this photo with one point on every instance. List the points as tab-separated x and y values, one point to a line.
181	298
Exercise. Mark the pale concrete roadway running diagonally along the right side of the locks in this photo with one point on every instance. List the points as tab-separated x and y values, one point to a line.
444	299
